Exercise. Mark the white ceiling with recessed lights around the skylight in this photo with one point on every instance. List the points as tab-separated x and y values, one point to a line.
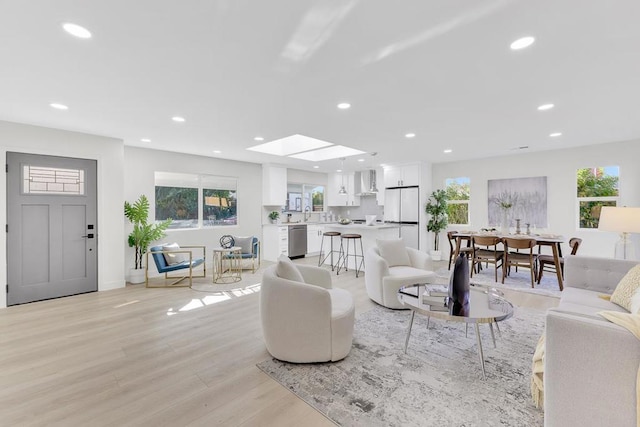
237	69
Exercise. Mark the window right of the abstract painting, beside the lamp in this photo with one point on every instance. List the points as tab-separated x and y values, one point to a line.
596	187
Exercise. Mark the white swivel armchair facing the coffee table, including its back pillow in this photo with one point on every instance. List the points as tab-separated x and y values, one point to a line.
391	265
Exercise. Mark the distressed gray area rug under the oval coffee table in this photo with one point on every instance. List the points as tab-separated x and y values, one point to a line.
437	383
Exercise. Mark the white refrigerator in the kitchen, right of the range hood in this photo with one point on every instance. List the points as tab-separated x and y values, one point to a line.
402	206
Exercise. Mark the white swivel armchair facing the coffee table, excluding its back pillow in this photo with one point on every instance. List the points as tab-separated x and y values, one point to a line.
382	282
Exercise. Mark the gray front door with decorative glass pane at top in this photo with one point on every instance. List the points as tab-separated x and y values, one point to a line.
51	227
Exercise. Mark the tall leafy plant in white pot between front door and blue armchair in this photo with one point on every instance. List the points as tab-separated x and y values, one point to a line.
143	233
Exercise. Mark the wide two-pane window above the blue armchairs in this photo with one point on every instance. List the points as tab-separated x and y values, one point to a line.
195	200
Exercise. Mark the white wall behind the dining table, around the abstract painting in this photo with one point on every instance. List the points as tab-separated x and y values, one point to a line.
559	166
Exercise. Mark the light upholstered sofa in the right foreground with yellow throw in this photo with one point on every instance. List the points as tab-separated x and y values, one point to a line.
590	363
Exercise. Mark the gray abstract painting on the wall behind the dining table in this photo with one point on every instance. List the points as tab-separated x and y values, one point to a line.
518	198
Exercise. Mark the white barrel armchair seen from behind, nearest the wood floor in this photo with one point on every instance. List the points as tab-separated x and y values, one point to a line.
305	321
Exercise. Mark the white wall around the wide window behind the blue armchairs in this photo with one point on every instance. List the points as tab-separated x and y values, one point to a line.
139	167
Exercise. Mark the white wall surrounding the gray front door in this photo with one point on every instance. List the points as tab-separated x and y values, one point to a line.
108	153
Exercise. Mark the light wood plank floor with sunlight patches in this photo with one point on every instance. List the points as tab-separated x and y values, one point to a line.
152	357
